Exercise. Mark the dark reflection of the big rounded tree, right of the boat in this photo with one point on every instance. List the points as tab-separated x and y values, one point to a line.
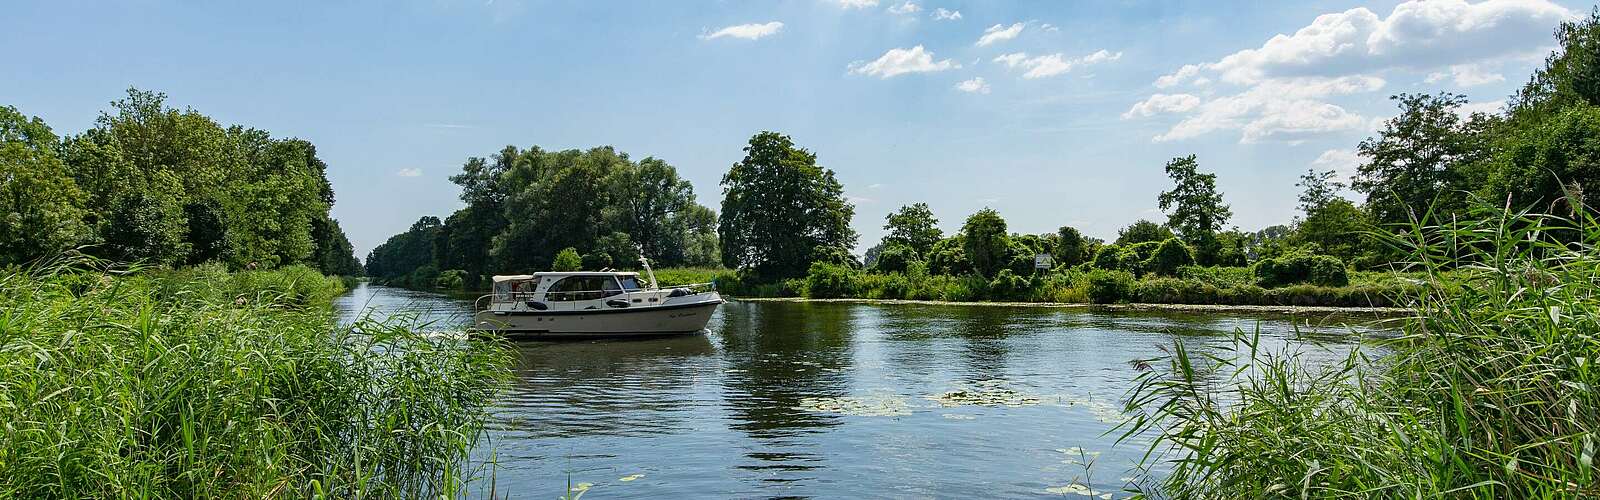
778	355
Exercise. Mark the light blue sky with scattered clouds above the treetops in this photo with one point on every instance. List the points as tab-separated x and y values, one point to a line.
1052	113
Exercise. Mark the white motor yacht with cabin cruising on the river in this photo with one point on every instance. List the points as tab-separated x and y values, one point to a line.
598	304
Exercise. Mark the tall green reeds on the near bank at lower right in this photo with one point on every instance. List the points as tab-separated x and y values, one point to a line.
1490	392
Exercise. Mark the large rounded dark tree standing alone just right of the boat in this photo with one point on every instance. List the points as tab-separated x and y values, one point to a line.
782	212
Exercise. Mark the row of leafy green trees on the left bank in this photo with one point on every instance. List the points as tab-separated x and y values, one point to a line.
164	187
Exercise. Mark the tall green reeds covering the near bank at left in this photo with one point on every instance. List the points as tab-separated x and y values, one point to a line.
202	384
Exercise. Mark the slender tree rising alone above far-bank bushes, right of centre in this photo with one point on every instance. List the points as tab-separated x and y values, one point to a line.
1194	208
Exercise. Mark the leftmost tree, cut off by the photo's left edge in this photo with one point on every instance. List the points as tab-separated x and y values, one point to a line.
41	208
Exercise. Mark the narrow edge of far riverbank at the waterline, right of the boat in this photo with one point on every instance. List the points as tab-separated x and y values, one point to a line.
1127	307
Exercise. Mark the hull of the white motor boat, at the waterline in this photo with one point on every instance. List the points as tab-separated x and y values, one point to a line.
674	320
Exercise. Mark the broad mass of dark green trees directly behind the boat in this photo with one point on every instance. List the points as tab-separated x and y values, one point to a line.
527	206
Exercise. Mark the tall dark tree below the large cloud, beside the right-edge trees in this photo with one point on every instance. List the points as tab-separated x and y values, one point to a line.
1422	158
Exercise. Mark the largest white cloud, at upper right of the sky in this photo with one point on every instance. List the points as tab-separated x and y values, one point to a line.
1282	89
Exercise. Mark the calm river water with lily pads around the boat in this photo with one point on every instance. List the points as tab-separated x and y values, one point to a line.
839	401
